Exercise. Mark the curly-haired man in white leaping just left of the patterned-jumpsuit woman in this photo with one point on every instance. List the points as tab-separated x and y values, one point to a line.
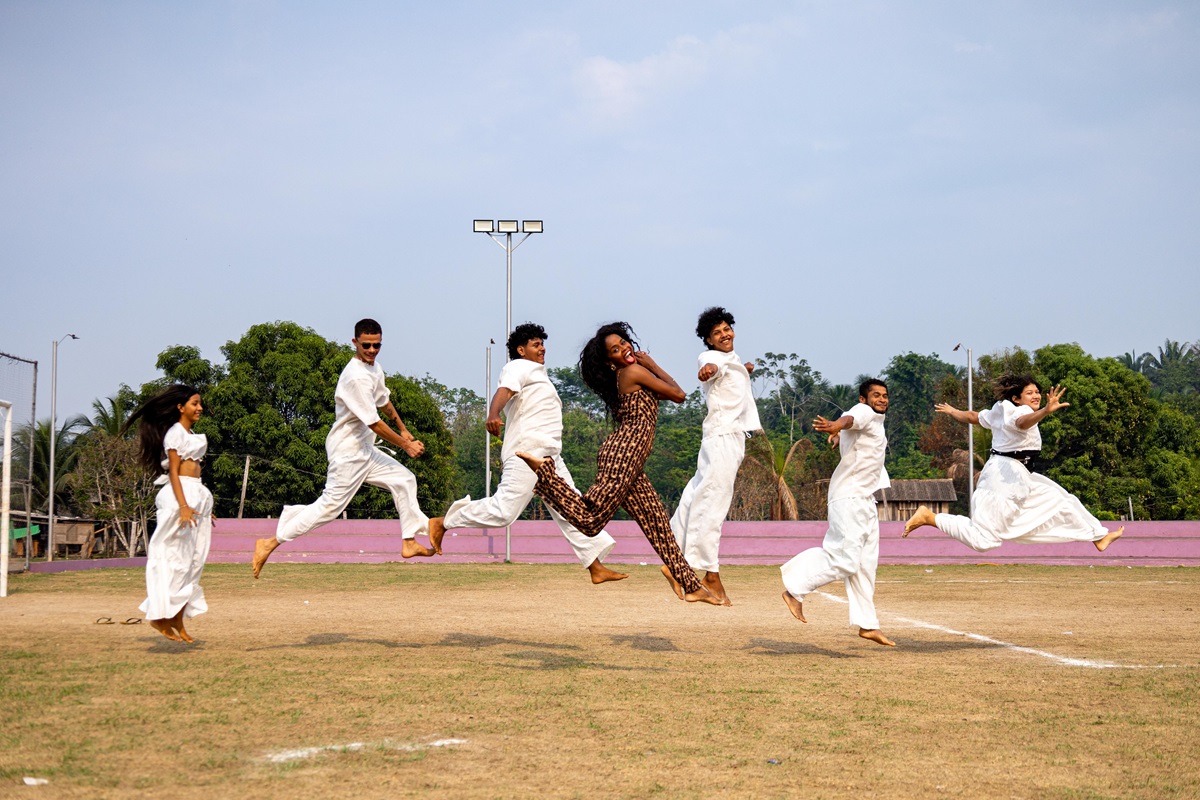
535	414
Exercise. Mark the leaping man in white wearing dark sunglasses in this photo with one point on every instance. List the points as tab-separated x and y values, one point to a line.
353	459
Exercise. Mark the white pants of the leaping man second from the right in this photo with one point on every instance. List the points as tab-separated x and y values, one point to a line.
850	552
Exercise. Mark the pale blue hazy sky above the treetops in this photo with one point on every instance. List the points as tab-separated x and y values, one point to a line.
854	181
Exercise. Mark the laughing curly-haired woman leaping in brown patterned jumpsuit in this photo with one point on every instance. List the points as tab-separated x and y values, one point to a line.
631	384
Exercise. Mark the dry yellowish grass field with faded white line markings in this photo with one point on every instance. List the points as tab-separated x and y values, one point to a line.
518	682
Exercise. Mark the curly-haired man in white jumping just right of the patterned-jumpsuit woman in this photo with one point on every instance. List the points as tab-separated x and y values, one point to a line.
733	416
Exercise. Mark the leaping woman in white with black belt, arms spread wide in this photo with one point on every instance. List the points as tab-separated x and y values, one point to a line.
1013	502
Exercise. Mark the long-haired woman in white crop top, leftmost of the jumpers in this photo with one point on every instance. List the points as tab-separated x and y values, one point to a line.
179	545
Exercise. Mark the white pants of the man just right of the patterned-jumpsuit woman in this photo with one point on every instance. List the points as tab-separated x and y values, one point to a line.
706	501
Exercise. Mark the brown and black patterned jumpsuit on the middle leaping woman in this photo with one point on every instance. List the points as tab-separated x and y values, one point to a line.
622	483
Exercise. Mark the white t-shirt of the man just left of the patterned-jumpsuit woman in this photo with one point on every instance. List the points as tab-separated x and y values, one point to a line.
533	417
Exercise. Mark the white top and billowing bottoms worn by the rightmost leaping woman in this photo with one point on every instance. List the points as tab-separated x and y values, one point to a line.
1012	503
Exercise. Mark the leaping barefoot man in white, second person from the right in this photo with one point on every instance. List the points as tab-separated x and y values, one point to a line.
851	548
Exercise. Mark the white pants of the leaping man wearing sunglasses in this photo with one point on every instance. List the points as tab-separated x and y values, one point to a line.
345	478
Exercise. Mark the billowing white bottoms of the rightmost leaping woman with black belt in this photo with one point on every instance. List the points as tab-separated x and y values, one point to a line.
1013	504
